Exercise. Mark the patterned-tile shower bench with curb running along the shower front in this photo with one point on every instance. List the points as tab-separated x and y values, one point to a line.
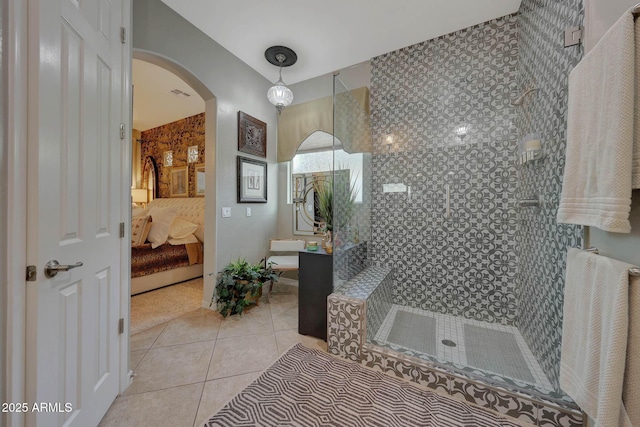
362	303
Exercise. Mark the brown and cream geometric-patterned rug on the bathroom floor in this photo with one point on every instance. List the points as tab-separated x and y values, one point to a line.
307	387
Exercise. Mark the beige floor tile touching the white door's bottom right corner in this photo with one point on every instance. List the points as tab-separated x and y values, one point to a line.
173	366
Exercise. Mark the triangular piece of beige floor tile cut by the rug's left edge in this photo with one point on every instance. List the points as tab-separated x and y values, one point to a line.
217	393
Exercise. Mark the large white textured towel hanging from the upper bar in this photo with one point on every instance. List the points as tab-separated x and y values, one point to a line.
596	189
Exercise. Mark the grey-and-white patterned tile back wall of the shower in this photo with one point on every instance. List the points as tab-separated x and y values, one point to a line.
461	263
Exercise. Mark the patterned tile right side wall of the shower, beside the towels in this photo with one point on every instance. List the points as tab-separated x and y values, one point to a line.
545	63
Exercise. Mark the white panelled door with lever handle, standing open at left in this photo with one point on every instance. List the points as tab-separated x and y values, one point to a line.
74	181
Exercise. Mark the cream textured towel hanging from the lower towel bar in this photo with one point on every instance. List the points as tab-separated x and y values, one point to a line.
594	336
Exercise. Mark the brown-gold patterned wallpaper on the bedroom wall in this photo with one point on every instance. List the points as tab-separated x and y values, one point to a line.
176	137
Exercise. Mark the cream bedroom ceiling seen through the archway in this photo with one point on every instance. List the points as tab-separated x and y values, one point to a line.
153	103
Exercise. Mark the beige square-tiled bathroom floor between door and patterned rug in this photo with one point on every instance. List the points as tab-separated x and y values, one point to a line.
189	367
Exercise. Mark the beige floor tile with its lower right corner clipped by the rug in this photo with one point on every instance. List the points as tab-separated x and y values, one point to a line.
240	355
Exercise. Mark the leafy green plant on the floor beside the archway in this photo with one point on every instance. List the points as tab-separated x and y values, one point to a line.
239	285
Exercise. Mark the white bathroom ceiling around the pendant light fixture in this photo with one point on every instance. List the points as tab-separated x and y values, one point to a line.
330	35
